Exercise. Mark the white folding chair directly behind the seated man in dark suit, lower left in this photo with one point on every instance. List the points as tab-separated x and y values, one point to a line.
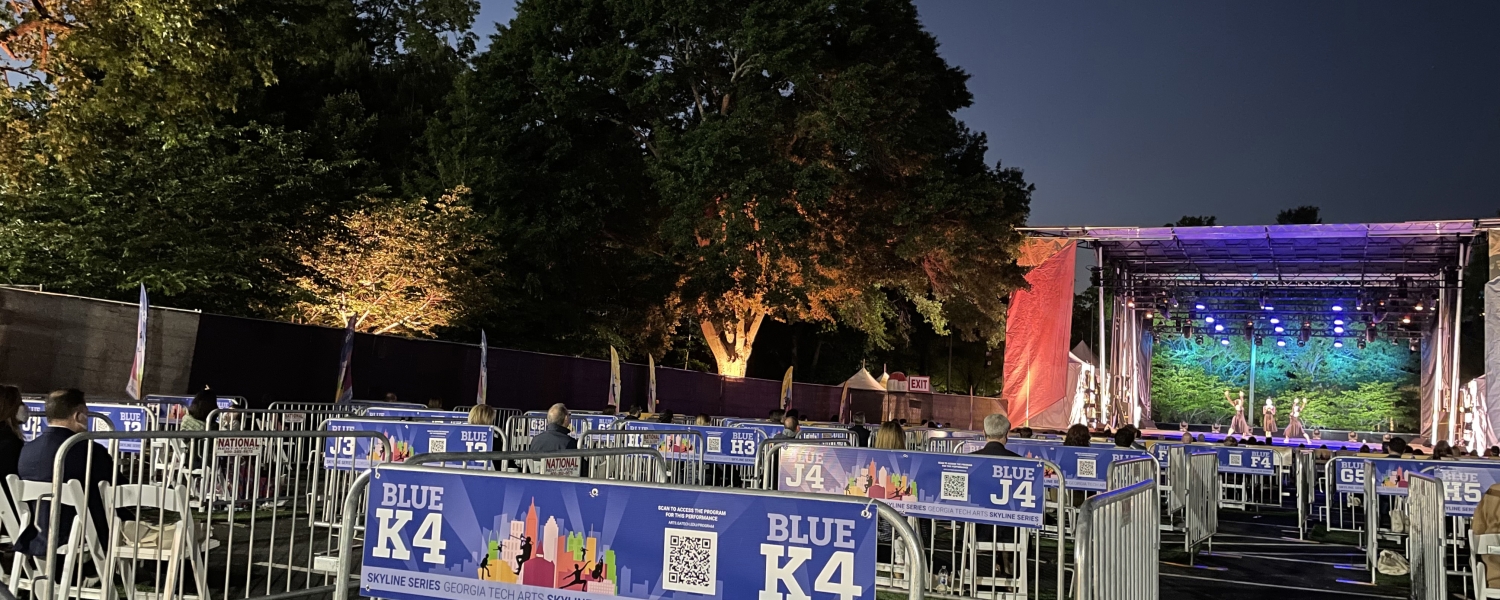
173	542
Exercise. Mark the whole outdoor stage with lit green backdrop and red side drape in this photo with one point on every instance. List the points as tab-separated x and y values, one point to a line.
1360	322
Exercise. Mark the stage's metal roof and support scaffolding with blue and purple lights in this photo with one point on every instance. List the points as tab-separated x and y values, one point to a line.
1382	283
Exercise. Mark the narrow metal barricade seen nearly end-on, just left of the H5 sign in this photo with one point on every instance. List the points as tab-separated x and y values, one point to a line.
1427	541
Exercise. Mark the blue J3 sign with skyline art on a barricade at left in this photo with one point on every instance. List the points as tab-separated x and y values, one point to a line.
404	440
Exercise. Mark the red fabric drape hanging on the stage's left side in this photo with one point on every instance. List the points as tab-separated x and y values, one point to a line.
1037	334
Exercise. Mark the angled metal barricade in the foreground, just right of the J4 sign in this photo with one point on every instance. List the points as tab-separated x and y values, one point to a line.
1118	545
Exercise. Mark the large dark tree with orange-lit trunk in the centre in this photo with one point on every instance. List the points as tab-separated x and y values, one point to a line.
721	164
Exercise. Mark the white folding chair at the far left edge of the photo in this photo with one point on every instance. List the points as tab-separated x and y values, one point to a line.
80	538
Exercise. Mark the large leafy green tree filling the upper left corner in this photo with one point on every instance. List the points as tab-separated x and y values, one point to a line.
197	145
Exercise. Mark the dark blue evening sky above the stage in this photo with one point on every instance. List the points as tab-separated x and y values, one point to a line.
1139	113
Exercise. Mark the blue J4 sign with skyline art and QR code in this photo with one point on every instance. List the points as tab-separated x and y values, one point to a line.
985	490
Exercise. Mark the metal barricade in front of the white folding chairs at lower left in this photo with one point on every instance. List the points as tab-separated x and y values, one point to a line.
184	530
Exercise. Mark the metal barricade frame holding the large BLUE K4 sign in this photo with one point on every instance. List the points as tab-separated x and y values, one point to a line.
349	560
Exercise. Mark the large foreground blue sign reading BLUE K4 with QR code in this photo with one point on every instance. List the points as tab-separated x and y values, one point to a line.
485	536
